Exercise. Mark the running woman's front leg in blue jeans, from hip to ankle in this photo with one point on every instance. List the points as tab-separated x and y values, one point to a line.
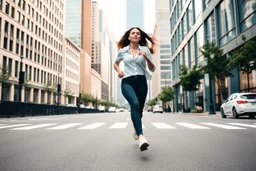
130	95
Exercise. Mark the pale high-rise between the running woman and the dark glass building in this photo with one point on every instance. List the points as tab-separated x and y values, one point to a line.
162	75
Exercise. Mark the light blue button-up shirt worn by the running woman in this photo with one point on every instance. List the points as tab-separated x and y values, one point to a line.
136	66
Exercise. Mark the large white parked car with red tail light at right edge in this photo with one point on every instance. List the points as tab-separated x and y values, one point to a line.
239	104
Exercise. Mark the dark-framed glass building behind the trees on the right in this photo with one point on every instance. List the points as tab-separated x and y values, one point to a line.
193	23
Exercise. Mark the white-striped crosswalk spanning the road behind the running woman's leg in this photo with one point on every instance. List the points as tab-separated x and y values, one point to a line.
123	125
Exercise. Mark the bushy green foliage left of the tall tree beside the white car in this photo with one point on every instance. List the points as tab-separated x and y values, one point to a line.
190	79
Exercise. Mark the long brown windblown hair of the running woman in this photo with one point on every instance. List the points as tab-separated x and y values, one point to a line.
124	41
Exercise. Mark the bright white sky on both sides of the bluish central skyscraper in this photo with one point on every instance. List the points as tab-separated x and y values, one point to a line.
115	12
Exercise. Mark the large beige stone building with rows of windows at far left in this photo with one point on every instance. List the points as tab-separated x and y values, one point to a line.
33	30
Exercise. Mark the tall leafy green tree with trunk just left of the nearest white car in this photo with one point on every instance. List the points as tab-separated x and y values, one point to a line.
217	65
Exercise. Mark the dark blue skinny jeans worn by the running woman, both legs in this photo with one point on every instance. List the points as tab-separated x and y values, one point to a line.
135	91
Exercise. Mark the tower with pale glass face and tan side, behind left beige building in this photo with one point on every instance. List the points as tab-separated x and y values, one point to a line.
78	30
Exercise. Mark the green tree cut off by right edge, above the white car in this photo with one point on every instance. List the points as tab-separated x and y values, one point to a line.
244	58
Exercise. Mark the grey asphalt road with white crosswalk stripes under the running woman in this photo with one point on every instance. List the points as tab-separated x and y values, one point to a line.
104	142
